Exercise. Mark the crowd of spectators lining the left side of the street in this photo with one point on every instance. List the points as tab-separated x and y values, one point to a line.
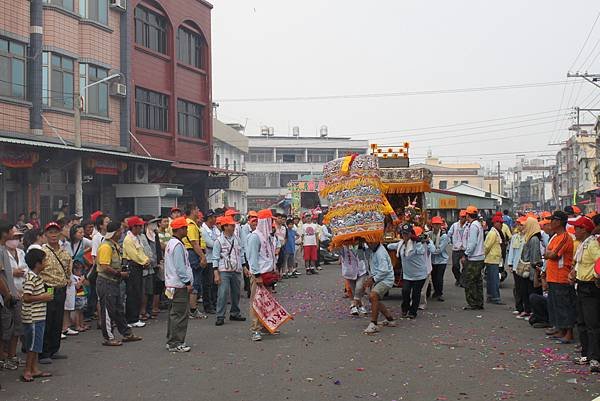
56	279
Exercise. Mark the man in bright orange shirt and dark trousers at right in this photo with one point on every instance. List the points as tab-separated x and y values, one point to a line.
562	298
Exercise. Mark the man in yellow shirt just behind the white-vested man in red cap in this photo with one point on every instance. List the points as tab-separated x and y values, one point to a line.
193	243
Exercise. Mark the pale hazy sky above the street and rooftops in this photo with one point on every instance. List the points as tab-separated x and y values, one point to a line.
284	48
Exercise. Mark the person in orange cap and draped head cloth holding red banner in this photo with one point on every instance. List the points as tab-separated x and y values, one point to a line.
260	251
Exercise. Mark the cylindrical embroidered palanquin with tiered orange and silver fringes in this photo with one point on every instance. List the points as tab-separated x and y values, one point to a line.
356	205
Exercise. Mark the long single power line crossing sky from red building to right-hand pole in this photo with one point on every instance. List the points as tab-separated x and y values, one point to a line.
393	94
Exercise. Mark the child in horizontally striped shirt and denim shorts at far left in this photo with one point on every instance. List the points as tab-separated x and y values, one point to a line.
34	313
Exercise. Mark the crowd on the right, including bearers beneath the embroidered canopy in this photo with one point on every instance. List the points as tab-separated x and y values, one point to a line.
554	259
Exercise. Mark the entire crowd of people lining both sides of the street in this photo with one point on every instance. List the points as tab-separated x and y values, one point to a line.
57	279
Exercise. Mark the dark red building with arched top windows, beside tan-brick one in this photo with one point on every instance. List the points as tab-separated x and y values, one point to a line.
171	87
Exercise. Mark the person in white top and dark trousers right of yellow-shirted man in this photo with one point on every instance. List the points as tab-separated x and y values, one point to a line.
210	233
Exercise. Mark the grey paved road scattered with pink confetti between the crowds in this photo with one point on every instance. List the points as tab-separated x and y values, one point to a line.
446	354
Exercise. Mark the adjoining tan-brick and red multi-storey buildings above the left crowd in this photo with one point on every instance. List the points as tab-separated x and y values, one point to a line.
149	125
